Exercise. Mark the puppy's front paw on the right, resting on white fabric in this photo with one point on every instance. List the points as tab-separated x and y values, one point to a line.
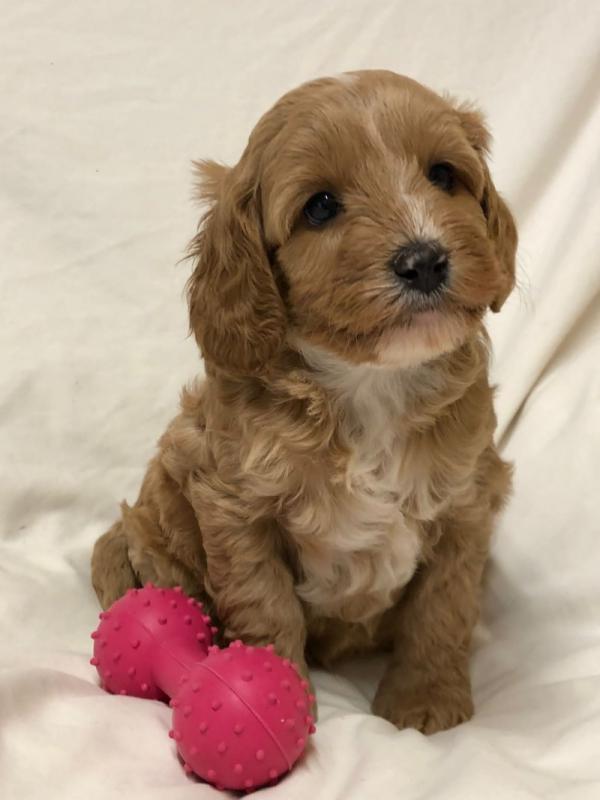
427	705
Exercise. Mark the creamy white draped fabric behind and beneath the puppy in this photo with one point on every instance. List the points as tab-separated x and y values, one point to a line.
102	107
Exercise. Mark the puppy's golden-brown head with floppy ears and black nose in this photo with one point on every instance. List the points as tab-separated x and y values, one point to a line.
361	219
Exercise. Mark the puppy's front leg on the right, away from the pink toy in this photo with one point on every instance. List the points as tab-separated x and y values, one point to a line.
427	684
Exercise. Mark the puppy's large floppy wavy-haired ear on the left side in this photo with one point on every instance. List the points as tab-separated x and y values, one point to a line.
236	312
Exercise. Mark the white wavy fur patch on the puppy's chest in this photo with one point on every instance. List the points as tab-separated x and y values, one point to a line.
357	548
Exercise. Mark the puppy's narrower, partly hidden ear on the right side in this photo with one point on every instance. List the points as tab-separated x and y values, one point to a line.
501	226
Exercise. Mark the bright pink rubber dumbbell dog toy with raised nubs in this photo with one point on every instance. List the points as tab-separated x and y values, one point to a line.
241	715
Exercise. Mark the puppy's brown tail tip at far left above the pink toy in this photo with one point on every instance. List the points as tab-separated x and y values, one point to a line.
112	573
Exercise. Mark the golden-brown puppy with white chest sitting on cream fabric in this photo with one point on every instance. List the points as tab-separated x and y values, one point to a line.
331	484
